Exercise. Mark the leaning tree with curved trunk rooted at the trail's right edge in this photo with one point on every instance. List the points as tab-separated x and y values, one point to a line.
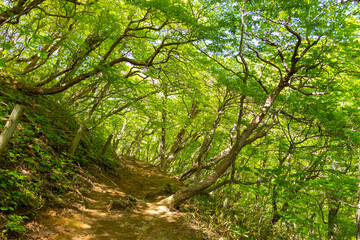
283	52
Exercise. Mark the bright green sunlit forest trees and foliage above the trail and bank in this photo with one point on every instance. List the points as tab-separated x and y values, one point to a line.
254	103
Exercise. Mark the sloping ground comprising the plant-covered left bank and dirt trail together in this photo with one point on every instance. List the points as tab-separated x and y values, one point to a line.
48	194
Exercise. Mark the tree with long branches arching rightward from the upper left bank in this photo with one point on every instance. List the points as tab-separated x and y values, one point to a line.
138	38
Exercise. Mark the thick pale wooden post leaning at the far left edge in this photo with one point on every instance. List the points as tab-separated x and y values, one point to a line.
10	127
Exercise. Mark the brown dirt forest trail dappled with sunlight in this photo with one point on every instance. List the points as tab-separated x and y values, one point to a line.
137	187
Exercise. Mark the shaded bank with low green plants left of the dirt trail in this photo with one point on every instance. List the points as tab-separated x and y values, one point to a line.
36	171
